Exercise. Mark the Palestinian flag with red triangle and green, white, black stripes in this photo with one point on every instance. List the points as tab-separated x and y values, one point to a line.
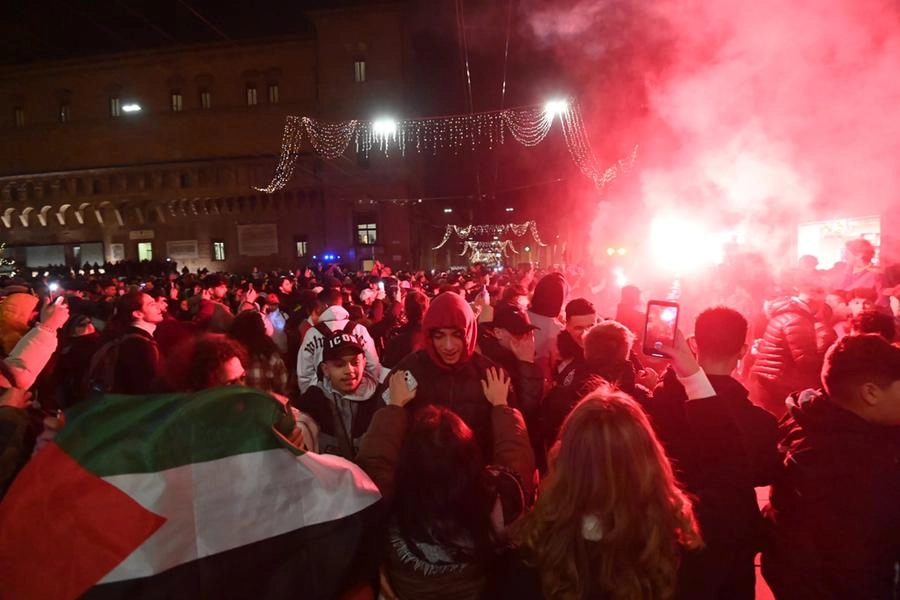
183	495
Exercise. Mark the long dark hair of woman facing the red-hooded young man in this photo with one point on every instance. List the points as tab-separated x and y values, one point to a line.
441	494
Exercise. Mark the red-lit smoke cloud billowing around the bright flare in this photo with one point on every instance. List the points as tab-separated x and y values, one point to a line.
751	116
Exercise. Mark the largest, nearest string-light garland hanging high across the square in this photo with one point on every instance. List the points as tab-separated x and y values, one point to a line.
529	126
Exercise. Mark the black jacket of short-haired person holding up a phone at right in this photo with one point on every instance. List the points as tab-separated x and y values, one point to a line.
721	448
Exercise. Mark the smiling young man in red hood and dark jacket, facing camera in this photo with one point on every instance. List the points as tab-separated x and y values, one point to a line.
448	371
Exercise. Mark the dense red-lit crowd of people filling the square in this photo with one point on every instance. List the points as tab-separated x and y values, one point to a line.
522	444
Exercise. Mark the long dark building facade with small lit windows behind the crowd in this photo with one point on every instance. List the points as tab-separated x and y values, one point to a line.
156	154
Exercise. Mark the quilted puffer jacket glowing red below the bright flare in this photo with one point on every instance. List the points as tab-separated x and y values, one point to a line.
789	352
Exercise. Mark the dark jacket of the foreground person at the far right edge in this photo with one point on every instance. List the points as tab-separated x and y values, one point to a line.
835	505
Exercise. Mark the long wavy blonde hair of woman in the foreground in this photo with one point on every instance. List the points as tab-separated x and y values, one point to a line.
607	467
